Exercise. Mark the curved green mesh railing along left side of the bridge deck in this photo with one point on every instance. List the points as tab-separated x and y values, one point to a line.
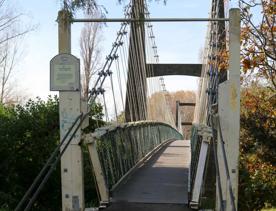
120	147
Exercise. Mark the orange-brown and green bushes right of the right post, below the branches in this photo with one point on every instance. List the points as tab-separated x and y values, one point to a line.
258	149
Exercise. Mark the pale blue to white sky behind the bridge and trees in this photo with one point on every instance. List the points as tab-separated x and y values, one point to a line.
176	42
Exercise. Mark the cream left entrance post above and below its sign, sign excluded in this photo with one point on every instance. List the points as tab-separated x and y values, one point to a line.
69	109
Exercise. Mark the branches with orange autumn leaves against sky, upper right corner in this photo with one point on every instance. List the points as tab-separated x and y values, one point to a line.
258	39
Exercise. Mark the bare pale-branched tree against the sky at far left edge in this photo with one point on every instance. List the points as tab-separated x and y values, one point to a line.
10	36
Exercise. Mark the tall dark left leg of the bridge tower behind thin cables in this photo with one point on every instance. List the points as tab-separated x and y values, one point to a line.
136	96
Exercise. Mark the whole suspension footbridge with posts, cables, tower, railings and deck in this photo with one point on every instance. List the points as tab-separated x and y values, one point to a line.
139	158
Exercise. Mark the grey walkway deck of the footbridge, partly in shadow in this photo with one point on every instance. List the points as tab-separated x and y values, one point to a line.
161	183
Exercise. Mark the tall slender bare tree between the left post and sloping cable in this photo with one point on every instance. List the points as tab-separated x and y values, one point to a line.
90	51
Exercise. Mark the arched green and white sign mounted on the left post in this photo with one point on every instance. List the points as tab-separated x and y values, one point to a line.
65	73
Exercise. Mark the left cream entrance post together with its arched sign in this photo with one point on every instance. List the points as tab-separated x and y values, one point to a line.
65	78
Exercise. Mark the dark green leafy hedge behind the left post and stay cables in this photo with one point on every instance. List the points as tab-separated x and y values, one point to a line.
29	133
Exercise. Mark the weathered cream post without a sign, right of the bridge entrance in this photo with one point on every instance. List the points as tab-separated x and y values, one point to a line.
229	113
